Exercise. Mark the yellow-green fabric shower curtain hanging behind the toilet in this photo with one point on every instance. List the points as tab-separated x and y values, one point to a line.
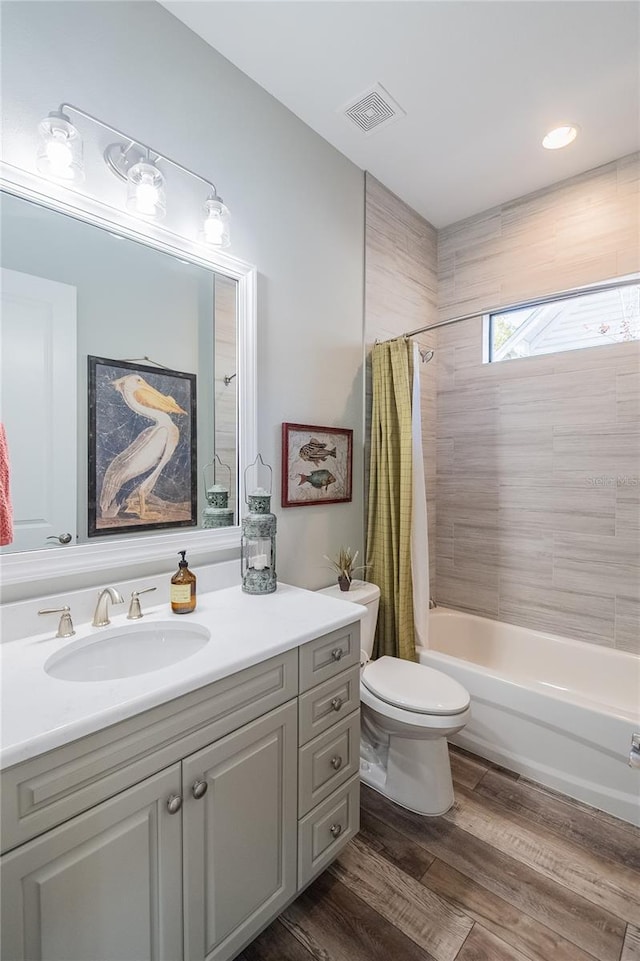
396	479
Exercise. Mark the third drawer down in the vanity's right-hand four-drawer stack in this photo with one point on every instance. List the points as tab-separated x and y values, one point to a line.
328	761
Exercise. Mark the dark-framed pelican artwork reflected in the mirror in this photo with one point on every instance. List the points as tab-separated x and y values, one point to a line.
142	447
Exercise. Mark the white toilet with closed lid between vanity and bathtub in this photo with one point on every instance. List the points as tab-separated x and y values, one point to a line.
408	712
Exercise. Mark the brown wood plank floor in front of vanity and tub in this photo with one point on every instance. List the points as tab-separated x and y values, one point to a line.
512	872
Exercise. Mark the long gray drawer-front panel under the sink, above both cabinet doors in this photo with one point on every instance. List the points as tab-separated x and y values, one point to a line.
47	790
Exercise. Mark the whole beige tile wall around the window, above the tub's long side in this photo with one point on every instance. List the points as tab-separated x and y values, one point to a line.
538	460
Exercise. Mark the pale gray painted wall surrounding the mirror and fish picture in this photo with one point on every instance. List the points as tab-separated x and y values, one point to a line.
297	206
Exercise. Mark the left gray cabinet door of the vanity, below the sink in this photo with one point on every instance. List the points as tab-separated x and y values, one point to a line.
105	886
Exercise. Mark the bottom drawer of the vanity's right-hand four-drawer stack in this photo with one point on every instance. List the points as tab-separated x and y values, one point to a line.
326	830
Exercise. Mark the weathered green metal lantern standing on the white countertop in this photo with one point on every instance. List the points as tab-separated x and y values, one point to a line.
258	544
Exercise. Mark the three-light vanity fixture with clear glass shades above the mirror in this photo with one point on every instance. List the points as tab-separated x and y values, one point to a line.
135	163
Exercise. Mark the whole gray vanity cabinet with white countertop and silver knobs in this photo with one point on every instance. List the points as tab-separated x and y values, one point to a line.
180	830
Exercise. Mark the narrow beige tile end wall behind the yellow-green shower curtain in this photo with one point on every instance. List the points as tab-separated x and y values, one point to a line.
401	294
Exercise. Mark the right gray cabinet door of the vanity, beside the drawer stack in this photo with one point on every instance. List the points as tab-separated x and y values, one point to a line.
240	836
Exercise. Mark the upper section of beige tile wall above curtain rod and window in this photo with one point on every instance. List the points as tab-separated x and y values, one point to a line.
577	232
